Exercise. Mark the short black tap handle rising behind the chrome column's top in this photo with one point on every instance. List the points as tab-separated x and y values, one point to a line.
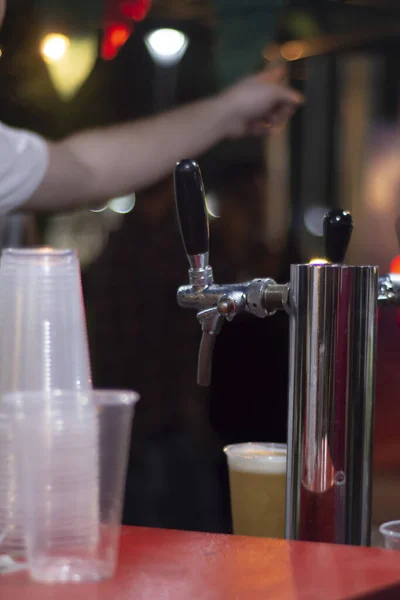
338	226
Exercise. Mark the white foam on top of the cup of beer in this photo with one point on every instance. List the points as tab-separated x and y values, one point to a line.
257	458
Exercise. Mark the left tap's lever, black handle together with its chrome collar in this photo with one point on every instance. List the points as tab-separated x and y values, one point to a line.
193	219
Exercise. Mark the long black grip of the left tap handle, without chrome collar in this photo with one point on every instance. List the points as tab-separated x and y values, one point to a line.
191	207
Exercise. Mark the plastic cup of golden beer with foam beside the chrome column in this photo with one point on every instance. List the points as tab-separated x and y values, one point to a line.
257	478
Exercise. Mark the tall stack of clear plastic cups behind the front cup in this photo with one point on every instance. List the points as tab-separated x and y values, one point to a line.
43	346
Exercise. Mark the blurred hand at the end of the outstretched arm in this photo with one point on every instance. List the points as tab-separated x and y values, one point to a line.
259	102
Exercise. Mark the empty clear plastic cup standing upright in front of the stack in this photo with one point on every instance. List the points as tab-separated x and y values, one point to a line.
73	488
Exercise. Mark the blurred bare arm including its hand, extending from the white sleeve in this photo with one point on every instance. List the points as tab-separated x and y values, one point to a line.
89	168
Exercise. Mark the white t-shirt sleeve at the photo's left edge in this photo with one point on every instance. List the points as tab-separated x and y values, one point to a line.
24	159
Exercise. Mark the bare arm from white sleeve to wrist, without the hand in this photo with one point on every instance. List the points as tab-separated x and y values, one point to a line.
109	162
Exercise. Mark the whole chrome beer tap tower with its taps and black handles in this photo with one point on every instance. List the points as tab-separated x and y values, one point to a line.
332	309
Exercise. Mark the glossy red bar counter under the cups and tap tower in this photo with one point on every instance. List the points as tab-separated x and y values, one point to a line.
160	564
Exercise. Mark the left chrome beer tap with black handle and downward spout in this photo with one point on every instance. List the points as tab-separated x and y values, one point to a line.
214	303
